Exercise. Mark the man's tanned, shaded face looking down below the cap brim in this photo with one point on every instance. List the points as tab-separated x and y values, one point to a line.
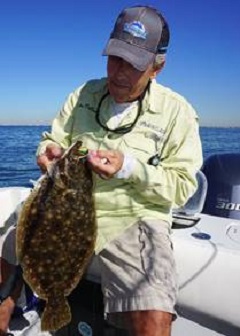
126	83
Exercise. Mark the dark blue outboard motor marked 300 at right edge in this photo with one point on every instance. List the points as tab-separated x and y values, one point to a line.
223	175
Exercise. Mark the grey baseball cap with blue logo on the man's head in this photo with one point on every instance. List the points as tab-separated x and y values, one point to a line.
140	33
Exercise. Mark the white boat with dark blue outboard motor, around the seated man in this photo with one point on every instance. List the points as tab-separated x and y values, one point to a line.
206	241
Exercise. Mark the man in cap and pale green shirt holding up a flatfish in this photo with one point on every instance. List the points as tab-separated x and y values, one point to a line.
145	149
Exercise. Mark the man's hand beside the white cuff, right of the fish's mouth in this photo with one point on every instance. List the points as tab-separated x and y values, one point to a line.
105	163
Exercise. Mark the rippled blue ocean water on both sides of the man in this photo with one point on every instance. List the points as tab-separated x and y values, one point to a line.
18	146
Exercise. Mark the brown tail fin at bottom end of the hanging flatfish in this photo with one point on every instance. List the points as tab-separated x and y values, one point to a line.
55	315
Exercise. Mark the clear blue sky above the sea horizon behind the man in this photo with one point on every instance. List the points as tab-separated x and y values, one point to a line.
48	48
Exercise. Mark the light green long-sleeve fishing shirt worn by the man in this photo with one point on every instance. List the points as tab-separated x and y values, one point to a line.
168	125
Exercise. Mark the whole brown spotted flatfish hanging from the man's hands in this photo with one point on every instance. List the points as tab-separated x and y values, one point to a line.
56	234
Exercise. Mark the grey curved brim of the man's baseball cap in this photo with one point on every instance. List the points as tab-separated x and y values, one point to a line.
139	58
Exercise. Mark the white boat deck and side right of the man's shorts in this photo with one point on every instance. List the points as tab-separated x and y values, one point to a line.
209	277
